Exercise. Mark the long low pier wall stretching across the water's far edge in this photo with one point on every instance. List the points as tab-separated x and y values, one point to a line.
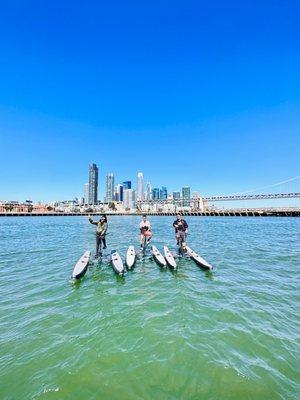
237	213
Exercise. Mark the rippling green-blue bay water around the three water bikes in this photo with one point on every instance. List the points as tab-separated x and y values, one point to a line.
232	334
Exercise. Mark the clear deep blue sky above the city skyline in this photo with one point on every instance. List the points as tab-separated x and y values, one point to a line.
199	93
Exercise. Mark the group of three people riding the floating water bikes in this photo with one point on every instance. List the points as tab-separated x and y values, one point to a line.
180	225
